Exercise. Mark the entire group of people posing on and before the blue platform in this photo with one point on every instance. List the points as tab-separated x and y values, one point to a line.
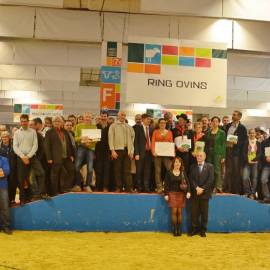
47	158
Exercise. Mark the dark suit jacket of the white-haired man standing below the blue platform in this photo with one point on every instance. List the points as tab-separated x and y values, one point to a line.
204	180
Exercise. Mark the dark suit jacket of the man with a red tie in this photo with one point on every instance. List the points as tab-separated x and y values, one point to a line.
140	140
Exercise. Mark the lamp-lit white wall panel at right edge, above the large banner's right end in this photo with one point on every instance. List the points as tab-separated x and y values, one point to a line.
252	36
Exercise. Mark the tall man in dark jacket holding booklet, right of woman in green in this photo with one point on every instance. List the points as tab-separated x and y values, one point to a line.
234	155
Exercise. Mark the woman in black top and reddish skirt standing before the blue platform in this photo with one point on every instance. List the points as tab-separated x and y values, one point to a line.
176	188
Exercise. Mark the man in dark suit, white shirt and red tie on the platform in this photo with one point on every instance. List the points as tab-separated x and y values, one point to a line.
143	155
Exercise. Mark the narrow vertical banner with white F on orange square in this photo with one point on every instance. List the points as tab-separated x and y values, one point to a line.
110	79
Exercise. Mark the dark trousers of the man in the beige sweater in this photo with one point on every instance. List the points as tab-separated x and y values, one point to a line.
122	167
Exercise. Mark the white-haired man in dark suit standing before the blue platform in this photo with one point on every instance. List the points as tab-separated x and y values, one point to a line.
201	180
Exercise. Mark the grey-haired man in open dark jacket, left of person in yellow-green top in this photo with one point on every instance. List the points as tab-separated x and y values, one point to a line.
60	155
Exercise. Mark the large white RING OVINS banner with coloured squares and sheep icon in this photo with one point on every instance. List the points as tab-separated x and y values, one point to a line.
177	72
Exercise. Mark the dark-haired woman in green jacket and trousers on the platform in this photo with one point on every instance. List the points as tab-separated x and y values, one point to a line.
215	144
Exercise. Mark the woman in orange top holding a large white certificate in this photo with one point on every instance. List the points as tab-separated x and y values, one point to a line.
162	150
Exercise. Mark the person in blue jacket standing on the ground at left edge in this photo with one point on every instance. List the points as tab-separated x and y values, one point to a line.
4	201
